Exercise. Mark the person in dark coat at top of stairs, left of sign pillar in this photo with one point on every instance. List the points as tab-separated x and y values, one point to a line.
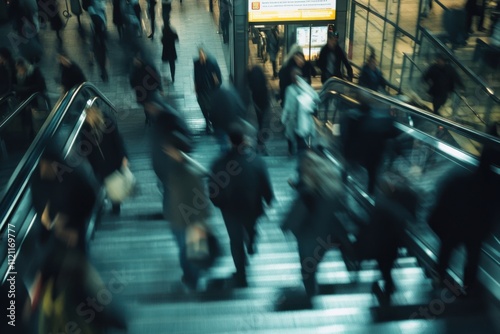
207	78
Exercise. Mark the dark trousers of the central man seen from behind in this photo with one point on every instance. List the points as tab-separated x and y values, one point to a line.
239	226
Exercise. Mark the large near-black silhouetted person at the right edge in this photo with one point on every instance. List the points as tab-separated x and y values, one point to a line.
465	212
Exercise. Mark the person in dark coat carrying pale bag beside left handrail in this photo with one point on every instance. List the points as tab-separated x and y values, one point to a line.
108	153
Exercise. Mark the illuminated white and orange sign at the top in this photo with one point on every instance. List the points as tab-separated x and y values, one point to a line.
290	10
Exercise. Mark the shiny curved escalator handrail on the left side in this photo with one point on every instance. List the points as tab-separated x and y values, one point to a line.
23	172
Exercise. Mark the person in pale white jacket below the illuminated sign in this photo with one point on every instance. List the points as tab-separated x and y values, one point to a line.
298	110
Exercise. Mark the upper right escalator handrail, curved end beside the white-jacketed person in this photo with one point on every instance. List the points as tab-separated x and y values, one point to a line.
473	134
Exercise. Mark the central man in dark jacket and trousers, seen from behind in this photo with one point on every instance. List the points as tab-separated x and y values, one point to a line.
240	196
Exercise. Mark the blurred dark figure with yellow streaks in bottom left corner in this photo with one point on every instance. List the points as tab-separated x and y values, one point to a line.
67	292
